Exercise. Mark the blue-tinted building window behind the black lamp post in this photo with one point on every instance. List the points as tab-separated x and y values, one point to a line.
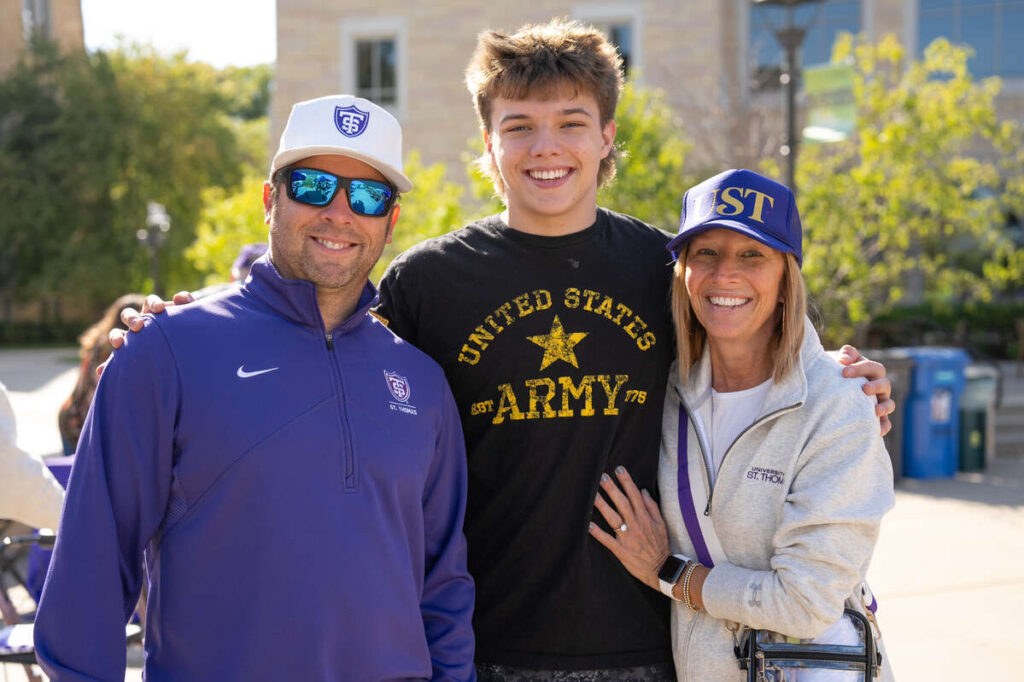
824	23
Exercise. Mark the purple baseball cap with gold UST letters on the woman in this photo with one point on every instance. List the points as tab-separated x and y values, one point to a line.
745	202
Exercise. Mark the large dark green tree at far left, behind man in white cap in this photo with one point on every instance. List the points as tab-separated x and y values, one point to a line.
87	141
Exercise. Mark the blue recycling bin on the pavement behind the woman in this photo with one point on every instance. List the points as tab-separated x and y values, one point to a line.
931	438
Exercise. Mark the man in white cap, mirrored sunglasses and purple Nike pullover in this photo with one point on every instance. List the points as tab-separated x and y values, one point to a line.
292	472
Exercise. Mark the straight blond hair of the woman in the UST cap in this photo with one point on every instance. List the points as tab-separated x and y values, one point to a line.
787	339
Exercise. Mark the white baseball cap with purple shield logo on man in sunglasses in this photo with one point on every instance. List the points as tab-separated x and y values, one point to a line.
348	126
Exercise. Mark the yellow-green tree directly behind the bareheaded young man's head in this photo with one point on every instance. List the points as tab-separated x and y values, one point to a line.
651	180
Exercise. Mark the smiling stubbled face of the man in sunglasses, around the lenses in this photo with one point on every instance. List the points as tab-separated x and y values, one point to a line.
330	246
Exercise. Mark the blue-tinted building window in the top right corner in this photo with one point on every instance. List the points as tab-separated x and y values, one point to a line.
992	28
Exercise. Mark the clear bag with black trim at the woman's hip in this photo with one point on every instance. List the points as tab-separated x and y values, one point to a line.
769	658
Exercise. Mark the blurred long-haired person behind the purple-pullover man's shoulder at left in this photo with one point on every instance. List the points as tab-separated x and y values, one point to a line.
94	351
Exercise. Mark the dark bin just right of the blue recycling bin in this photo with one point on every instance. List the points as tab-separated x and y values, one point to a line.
977	417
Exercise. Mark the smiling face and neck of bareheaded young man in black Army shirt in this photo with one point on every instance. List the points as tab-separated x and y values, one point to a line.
548	153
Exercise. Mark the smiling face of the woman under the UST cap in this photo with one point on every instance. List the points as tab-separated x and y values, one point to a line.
735	288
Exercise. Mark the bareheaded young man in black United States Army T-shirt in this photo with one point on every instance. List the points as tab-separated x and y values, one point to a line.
551	324
